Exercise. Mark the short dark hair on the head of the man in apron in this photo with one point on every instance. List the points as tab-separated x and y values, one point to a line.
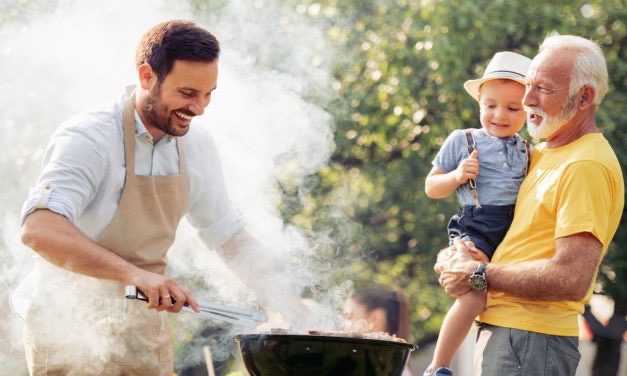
175	40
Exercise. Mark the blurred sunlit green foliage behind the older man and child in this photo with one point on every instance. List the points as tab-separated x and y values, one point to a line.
399	76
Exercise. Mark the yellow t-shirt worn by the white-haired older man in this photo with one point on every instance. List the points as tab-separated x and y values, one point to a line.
571	189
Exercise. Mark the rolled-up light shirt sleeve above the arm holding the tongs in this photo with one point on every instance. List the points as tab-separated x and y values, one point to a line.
72	169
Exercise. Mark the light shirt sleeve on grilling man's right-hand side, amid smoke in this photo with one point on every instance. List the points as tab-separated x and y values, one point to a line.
211	212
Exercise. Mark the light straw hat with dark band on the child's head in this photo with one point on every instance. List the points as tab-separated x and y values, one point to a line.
504	65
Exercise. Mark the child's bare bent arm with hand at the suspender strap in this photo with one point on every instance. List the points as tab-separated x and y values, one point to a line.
440	184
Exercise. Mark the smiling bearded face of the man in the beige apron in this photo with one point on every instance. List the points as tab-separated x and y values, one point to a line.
168	107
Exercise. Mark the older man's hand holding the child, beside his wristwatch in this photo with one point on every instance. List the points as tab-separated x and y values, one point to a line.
455	269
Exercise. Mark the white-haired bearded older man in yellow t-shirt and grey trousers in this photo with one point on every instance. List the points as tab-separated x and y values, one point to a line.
567	211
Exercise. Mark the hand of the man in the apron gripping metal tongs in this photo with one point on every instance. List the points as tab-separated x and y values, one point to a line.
163	293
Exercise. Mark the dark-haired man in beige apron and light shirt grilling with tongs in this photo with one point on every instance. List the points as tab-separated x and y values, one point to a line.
115	183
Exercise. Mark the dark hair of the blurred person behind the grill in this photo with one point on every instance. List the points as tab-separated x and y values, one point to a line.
392	301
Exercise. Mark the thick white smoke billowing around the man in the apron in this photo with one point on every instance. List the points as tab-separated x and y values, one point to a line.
61	57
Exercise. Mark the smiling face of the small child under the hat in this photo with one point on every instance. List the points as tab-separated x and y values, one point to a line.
502	113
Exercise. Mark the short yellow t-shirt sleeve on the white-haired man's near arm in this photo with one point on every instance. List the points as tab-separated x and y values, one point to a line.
584	200
